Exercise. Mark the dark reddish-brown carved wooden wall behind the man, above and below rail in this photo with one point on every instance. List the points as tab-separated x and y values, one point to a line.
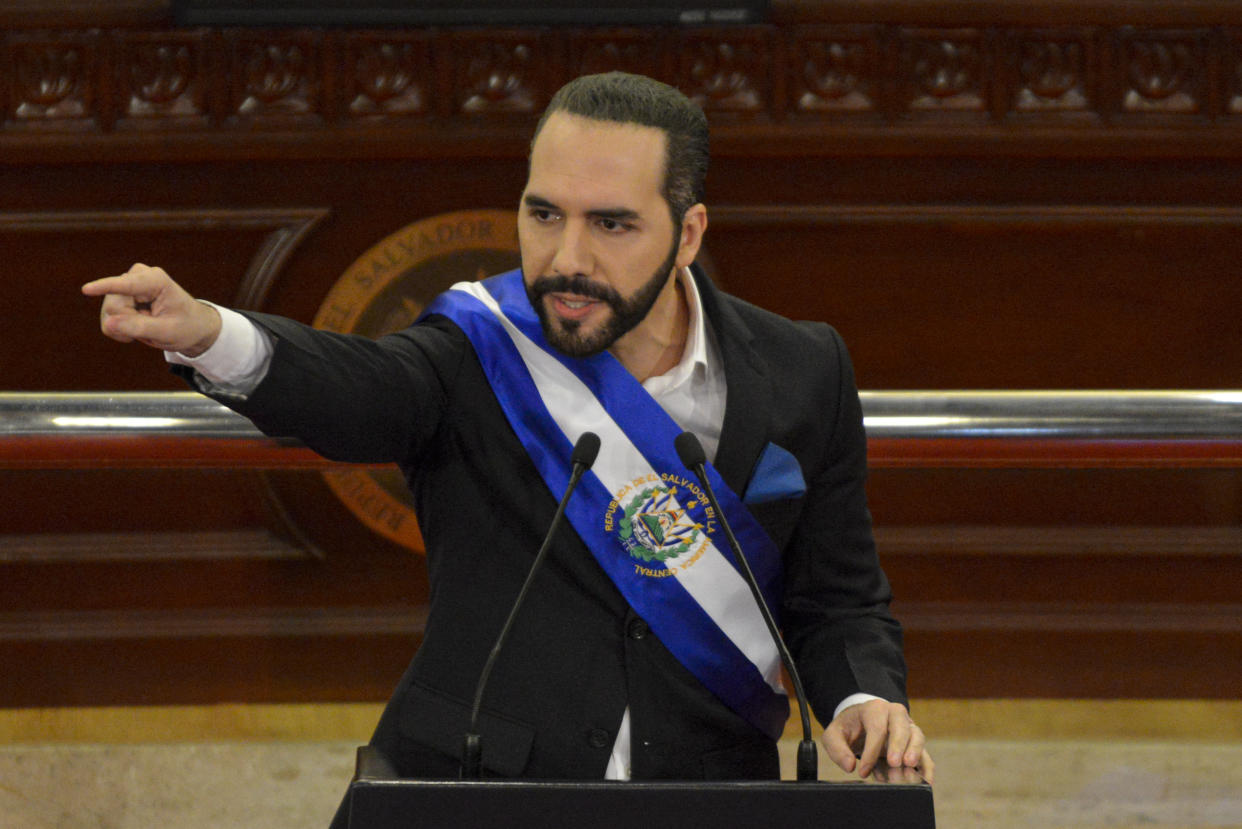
978	195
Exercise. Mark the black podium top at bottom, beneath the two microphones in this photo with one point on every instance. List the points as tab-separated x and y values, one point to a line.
378	800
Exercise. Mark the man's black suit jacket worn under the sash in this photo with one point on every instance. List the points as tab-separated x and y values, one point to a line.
579	656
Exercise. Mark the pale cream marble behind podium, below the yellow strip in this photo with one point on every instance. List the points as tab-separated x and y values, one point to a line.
981	784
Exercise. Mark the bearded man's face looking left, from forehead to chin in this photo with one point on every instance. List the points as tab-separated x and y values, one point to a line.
598	244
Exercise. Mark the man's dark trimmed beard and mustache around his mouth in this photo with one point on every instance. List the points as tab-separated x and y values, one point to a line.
567	335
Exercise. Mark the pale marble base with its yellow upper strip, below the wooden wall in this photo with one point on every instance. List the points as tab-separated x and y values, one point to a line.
1000	764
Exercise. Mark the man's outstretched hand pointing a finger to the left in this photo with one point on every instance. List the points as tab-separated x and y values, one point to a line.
145	305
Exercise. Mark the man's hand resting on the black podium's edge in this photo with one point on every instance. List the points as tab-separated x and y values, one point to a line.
865	734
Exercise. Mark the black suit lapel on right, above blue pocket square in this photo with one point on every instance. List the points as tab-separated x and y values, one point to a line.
750	400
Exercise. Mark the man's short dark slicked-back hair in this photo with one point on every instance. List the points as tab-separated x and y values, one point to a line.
638	100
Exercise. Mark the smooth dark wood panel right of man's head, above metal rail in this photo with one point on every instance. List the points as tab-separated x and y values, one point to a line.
1000	296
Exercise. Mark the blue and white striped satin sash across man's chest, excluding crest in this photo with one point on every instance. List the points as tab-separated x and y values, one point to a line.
702	610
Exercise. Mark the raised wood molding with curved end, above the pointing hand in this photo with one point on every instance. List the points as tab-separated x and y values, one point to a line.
288	228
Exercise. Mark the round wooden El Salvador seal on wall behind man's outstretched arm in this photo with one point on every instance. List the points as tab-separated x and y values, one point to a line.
384	291
